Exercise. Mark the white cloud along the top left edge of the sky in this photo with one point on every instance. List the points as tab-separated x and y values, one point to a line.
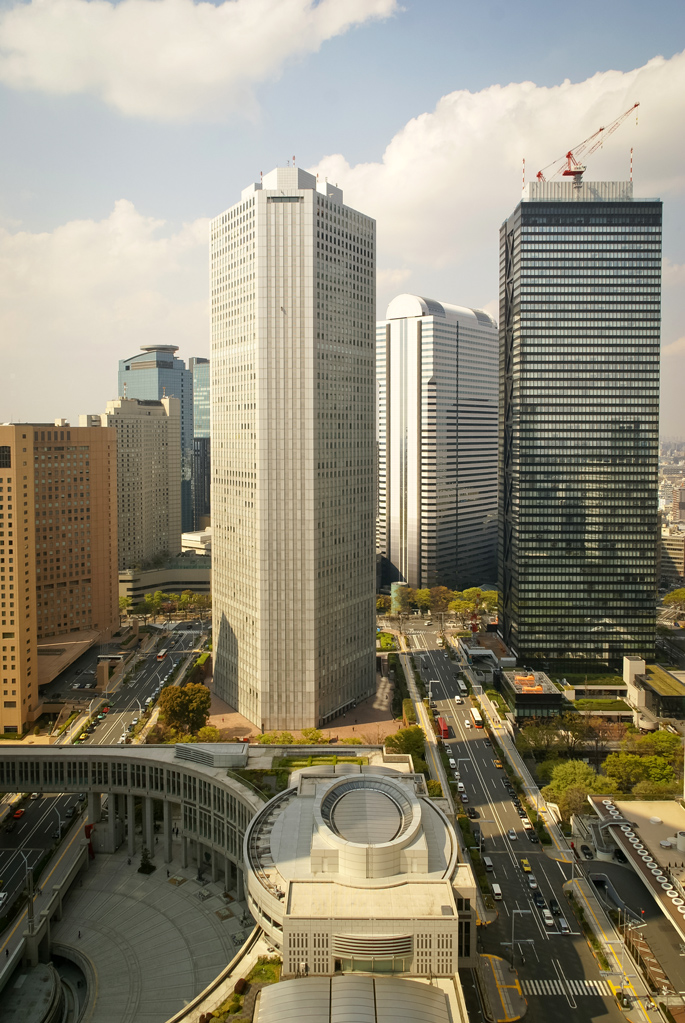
168	60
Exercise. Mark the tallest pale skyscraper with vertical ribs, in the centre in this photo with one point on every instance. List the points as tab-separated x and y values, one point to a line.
293	437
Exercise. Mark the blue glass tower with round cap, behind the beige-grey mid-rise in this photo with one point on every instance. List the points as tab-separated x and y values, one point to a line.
155	375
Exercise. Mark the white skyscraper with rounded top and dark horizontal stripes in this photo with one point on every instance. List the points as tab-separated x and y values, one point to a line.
437	369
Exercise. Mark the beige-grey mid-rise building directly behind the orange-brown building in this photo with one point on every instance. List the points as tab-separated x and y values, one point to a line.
149	470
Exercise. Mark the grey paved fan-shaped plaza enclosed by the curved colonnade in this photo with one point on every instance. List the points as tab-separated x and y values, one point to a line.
155	943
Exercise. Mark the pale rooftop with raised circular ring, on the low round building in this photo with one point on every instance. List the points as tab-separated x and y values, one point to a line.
351	841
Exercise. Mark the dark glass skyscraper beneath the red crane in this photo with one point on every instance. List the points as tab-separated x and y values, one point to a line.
580	287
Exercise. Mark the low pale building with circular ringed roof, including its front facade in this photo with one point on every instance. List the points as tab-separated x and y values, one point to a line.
355	870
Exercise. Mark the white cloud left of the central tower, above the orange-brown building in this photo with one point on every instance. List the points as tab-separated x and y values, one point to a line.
76	301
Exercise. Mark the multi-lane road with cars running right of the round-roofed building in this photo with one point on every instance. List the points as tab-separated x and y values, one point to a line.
552	965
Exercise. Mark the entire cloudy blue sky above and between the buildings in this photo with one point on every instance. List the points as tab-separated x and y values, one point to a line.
125	126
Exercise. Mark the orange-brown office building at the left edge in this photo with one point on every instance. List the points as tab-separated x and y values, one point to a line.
59	581
